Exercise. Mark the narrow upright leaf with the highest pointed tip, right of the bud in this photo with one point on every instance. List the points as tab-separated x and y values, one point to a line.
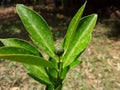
72	27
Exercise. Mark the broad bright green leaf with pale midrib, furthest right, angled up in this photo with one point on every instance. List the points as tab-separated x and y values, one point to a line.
80	40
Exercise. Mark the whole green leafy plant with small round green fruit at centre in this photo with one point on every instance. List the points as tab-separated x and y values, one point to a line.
49	71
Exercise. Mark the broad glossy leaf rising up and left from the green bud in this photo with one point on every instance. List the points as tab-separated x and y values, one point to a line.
38	29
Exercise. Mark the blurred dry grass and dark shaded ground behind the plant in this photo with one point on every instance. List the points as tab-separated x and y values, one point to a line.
100	69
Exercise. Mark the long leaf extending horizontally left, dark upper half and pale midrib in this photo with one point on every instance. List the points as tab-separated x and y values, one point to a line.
23	56
